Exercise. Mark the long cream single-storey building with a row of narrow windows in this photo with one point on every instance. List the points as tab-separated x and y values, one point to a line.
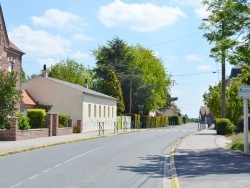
77	101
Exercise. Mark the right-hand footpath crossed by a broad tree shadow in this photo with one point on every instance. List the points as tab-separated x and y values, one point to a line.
201	161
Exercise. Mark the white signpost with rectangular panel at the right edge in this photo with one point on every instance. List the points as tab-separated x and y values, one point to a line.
244	93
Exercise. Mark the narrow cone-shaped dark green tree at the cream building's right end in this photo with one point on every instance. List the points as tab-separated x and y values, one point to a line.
113	88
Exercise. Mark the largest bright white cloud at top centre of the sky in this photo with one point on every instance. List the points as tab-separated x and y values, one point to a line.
138	17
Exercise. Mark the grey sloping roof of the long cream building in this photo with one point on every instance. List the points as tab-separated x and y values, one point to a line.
80	88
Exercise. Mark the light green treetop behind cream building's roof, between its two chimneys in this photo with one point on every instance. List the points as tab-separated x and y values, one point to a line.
71	71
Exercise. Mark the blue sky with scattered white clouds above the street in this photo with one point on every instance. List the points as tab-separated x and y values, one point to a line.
50	31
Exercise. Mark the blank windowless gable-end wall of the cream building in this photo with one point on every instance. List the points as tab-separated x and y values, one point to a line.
63	98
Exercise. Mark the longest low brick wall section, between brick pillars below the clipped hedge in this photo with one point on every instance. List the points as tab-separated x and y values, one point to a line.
32	133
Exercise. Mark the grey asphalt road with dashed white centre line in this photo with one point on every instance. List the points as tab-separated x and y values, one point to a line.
129	160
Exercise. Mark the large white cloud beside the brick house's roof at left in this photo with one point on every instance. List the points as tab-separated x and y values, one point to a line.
37	42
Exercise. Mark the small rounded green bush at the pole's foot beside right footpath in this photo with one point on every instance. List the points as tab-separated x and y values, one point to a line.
224	126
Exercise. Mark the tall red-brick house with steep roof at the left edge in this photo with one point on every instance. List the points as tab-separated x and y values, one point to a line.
10	54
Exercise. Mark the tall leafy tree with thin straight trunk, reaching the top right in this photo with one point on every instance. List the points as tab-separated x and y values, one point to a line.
223	27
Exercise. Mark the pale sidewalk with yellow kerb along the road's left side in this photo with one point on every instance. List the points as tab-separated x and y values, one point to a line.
11	147
